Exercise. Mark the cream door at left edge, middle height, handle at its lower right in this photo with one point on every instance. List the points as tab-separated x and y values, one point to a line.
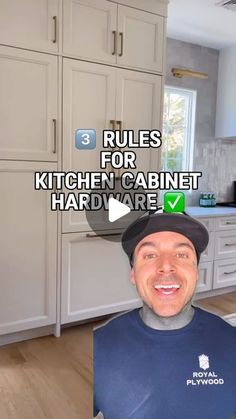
28	105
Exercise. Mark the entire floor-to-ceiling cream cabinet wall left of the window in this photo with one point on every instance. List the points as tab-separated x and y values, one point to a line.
66	65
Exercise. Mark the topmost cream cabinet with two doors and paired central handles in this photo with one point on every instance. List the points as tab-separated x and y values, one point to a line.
121	35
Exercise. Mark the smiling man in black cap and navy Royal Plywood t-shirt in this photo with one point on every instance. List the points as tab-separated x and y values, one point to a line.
167	360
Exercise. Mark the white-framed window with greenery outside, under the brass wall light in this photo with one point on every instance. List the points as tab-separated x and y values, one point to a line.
178	129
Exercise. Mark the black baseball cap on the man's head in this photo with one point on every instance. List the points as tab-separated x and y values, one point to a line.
180	223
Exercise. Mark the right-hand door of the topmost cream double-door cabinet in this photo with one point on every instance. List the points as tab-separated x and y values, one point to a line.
140	39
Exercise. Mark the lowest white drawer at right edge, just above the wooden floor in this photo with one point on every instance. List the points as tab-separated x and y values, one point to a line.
224	273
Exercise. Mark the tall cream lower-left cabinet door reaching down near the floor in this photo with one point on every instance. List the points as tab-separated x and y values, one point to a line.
28	246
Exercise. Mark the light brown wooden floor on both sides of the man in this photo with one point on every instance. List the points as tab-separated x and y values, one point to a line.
51	378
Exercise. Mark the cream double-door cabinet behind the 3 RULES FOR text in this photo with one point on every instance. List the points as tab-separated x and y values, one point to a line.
127	97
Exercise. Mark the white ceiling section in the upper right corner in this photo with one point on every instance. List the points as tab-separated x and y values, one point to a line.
202	22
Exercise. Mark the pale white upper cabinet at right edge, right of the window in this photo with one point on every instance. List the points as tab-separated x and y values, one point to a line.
226	94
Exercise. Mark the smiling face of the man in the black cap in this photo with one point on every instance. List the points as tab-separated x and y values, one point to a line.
165	272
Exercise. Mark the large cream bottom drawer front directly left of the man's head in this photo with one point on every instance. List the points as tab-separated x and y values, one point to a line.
91	283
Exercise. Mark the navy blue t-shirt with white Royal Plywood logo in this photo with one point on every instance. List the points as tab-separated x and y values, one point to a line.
143	373
